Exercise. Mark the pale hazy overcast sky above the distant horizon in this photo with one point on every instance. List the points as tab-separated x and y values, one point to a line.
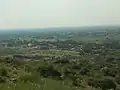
58	13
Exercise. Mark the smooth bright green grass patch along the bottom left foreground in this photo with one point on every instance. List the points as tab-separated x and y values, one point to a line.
49	85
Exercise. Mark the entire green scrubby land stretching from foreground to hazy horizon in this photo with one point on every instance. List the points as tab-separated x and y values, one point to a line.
61	60
